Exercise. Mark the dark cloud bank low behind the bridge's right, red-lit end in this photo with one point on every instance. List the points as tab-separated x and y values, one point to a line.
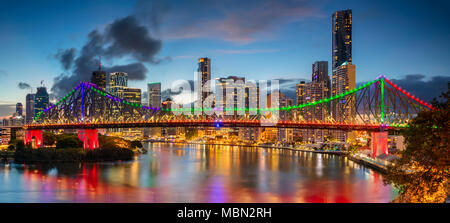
422	88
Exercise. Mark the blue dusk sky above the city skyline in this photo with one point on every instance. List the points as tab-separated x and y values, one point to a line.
256	39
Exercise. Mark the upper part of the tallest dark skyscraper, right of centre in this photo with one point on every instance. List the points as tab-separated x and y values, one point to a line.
342	37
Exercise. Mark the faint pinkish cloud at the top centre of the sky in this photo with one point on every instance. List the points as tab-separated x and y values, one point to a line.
233	20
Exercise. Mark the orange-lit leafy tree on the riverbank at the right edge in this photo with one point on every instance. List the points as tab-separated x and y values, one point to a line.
422	172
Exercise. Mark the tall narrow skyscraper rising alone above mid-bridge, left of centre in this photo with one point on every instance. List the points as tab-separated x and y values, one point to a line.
204	75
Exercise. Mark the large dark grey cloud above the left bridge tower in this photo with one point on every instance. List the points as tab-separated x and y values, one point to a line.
122	38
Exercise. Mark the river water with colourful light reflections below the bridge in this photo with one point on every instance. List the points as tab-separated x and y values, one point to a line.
198	173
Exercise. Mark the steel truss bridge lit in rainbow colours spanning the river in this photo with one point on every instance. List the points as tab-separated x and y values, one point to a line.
376	106
